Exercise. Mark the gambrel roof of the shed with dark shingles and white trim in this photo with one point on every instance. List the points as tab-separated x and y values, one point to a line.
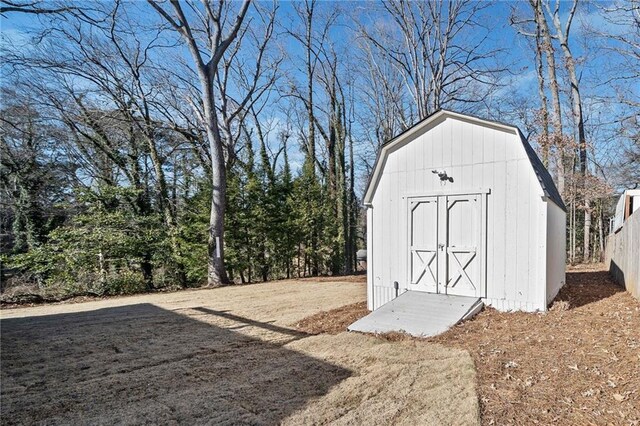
544	178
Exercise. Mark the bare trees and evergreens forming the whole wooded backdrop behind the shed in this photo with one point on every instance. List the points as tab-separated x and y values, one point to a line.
146	145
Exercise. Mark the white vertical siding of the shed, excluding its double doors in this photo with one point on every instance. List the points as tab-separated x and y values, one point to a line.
520	223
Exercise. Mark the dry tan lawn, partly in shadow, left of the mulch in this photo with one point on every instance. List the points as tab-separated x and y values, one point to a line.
223	356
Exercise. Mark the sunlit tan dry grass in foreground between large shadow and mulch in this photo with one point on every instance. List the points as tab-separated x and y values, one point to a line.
403	383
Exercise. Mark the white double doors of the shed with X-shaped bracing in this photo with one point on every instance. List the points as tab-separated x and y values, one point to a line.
446	234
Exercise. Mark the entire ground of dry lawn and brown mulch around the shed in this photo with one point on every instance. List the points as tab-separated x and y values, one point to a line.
277	353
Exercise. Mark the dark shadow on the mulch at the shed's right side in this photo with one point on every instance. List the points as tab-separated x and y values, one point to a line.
585	287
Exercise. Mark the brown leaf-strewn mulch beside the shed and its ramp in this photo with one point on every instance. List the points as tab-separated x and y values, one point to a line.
578	364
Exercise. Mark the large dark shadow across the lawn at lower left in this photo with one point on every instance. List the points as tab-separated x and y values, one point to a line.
143	364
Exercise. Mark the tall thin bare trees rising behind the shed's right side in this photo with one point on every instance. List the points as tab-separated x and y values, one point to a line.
567	144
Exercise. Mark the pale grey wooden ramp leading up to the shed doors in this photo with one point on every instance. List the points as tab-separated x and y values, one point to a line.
419	314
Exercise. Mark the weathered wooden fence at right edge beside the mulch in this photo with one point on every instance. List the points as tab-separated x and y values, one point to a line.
622	254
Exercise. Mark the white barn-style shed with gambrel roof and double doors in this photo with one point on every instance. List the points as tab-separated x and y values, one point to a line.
463	206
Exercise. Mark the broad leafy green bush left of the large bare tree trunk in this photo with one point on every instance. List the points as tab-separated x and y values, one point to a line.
100	250
